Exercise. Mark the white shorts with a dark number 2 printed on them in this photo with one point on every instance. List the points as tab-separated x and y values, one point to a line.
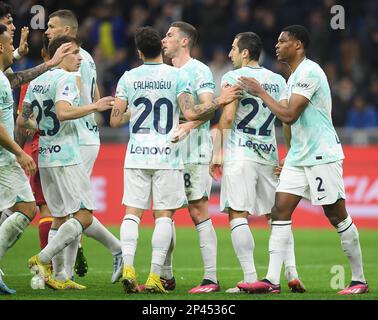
322	184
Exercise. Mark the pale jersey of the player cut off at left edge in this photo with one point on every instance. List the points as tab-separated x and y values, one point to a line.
7	120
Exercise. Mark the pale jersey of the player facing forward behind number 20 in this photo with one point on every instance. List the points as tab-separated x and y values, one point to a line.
197	146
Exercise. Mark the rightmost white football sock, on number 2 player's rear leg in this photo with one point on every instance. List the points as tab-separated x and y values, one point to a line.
351	245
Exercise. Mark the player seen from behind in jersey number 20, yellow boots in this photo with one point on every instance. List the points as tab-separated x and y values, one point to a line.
154	93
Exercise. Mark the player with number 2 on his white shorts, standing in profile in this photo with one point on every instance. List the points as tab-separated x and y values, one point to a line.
313	166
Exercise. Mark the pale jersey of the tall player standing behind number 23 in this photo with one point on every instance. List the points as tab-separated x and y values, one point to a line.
87	126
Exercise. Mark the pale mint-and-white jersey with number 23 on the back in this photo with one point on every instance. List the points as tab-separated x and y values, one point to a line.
58	141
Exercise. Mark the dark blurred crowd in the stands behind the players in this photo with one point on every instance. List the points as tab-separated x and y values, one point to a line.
349	57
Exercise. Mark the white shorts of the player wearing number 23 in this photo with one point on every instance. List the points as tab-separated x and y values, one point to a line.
66	190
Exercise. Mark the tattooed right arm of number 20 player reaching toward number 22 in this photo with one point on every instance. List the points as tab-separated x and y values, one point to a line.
193	112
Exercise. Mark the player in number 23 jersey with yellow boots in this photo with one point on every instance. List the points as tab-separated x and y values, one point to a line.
54	98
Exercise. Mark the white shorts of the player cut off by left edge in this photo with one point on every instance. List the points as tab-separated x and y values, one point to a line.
14	186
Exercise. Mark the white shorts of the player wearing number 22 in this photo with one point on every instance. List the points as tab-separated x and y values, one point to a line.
247	186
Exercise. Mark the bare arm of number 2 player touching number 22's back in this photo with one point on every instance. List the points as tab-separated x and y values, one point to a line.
289	114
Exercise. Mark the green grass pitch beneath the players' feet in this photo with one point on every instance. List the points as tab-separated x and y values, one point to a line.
317	252
